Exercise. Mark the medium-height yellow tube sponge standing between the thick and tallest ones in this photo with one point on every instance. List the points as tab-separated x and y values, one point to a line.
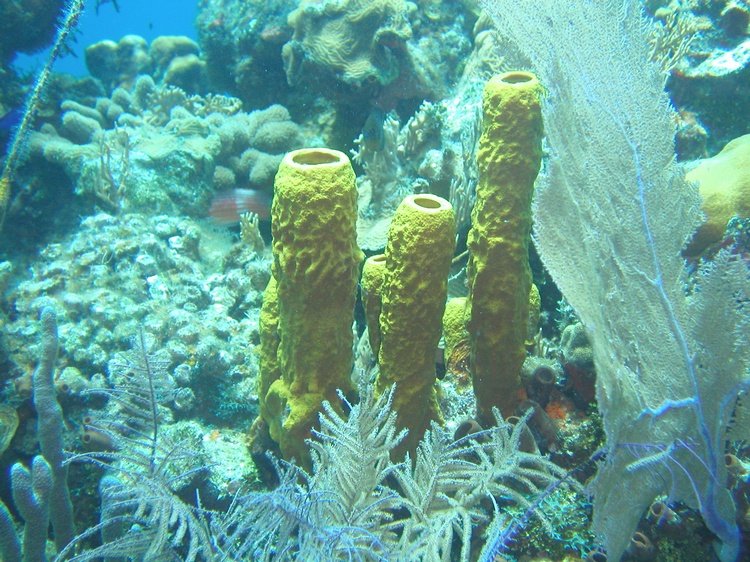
418	257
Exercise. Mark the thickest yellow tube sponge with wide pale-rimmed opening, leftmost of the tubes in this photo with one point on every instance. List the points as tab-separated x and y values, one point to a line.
316	267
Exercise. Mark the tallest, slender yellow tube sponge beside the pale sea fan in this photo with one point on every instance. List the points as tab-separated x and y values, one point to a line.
509	157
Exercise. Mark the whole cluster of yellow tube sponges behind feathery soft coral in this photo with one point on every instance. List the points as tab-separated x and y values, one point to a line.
307	314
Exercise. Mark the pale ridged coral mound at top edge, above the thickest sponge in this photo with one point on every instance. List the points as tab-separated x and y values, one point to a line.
357	40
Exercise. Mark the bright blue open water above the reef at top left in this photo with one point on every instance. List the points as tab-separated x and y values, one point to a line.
147	18
